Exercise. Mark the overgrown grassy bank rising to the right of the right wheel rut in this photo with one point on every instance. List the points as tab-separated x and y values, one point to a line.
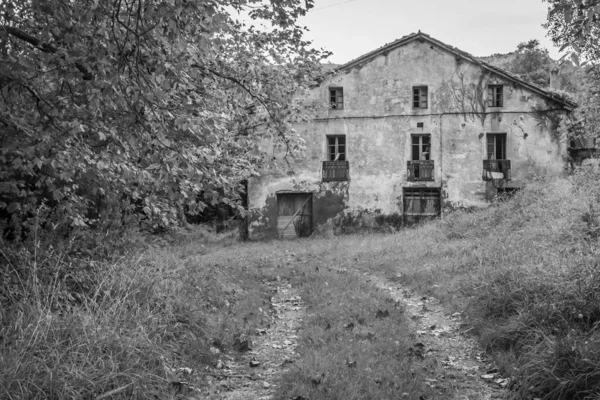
527	272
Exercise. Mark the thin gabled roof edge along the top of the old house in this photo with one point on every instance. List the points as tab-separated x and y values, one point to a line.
458	53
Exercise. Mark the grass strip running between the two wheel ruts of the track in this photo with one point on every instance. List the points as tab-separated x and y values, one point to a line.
354	342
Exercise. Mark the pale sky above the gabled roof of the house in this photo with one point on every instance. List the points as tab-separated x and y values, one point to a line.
351	28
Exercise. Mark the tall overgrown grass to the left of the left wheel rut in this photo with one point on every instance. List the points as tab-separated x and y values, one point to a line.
141	318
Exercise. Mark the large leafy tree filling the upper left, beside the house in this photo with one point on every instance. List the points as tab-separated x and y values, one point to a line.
159	102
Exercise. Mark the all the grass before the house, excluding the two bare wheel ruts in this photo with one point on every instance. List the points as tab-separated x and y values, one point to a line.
525	273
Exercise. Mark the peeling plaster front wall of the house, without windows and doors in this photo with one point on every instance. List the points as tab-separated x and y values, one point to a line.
378	119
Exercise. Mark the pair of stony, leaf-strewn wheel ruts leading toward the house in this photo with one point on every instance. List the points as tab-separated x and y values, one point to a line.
457	366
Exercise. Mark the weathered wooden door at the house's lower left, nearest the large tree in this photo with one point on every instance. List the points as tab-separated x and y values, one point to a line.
294	215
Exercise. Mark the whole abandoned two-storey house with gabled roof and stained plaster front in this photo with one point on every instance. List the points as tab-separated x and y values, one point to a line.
408	132
